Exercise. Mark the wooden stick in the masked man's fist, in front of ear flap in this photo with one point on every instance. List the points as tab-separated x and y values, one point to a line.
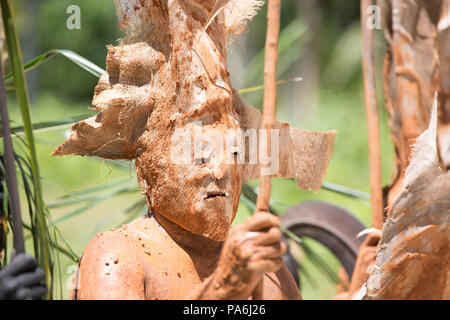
270	104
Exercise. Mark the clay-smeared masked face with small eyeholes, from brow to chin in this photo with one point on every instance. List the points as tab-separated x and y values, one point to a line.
196	181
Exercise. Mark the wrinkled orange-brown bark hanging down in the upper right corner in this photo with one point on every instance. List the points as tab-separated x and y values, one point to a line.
416	65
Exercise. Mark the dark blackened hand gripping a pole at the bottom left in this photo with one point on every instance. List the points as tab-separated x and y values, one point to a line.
22	280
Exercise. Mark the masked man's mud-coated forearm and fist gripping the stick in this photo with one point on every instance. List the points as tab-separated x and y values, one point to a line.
251	250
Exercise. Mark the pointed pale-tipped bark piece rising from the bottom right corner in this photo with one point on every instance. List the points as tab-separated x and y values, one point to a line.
413	257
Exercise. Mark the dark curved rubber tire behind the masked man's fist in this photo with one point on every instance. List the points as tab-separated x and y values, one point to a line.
328	224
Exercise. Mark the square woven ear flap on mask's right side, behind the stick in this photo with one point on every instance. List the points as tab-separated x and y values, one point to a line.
303	154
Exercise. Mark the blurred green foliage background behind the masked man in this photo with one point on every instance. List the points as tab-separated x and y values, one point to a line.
64	90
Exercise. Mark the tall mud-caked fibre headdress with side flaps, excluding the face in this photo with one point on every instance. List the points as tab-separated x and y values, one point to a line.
170	66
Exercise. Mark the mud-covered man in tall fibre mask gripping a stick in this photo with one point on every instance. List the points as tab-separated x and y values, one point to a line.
169	74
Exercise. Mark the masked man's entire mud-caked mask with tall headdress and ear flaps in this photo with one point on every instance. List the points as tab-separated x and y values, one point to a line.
169	73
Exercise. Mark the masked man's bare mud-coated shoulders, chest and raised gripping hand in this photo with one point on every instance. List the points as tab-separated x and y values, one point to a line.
143	261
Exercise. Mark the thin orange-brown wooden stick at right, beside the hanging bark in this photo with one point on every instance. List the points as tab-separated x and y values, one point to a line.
372	119
